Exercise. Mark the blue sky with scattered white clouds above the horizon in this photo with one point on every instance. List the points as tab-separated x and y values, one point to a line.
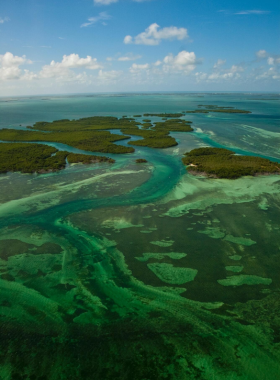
94	46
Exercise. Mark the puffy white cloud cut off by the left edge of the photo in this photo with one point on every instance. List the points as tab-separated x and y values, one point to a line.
9	66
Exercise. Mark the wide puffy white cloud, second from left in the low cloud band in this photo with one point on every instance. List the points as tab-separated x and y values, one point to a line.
72	61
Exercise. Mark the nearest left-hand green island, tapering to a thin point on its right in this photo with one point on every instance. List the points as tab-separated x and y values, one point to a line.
40	158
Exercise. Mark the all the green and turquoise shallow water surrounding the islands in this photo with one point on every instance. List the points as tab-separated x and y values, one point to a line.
142	271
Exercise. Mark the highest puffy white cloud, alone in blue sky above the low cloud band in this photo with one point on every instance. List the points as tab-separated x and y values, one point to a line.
153	35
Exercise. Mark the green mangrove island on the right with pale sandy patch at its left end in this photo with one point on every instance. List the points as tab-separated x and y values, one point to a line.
223	163
